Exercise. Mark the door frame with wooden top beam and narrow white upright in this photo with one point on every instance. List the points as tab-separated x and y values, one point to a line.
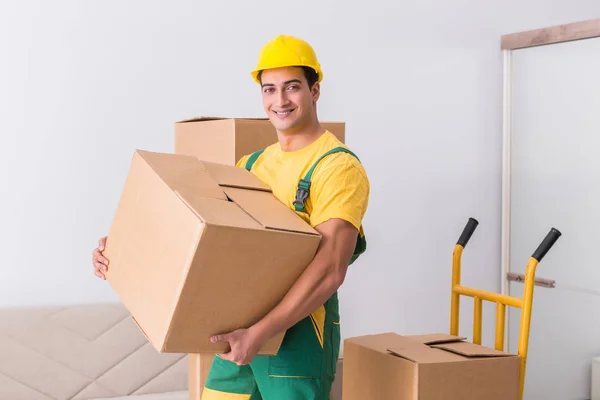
510	43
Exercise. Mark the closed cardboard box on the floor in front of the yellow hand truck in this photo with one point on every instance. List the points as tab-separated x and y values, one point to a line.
427	367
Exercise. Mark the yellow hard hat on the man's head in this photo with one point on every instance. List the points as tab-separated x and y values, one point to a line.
287	51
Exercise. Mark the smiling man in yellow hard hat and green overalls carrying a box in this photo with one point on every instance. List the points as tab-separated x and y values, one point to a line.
334	203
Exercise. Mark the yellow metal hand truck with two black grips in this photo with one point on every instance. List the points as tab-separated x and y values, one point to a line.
501	300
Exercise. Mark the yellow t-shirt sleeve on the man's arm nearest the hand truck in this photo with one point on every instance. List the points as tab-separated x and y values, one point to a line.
339	190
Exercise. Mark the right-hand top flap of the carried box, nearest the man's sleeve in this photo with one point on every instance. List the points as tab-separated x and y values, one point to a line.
270	212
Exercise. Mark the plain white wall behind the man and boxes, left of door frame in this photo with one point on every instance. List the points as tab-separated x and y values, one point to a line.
418	83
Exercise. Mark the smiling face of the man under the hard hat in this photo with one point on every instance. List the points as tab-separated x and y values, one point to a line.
287	99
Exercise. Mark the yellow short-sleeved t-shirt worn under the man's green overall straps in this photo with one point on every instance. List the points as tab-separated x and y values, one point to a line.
339	185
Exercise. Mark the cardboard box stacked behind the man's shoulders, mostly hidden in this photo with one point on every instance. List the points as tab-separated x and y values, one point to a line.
226	140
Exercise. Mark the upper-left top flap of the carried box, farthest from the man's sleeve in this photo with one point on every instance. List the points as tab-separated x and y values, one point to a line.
183	173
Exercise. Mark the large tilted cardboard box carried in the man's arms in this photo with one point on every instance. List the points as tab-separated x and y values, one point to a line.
198	248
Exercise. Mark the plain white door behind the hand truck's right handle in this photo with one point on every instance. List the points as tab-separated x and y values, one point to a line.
555	182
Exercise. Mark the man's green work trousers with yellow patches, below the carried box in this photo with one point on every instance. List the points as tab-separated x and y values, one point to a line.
303	369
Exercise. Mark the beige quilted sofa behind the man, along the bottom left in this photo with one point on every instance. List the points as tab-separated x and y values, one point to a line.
86	352
